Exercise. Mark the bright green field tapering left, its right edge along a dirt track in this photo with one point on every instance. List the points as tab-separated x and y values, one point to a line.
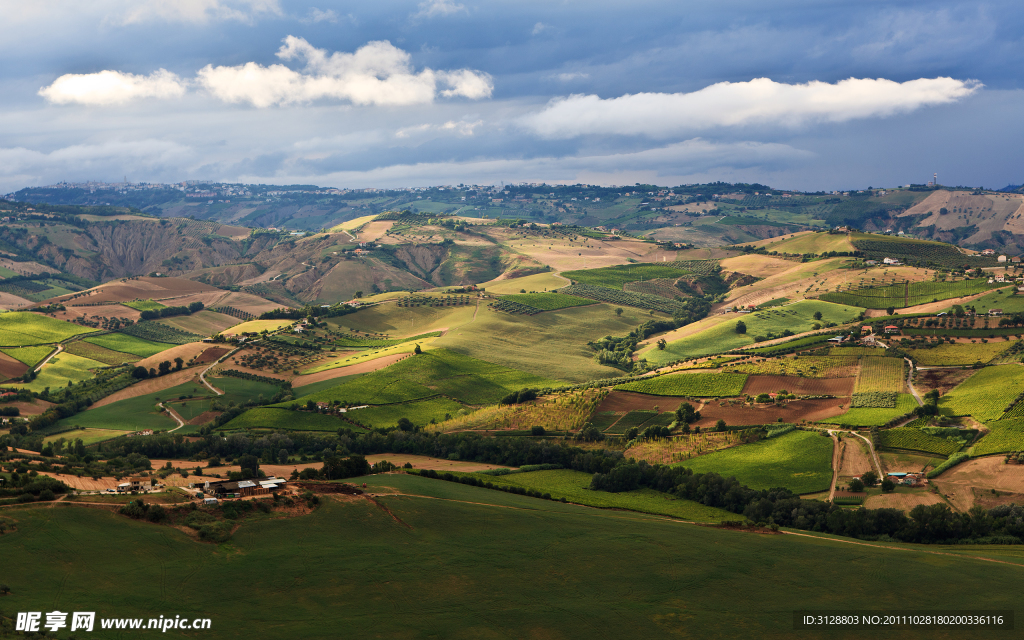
800	461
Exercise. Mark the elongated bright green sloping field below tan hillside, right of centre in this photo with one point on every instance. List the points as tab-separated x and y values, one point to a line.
722	336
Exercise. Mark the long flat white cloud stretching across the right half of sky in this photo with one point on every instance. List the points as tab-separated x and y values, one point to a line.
759	102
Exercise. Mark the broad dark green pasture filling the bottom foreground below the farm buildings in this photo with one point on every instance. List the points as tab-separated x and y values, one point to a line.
476	564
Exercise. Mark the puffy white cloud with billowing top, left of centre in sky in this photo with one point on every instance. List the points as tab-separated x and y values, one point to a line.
377	74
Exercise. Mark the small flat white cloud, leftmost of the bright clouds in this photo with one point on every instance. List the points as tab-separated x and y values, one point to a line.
112	88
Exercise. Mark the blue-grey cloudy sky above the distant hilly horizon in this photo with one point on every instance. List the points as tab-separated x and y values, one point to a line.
798	95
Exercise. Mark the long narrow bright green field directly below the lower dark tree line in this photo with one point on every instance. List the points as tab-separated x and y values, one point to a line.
574	487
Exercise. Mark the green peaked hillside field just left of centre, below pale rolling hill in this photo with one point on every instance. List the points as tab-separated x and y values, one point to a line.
439	372
